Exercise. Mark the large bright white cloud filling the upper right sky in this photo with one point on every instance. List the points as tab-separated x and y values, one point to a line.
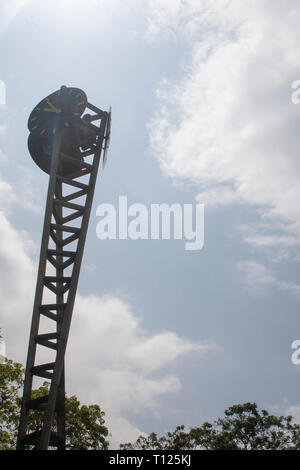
230	125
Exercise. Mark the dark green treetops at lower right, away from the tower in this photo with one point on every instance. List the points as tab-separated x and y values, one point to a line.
243	427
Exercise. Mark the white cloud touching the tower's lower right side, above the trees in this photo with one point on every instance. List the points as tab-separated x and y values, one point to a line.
114	362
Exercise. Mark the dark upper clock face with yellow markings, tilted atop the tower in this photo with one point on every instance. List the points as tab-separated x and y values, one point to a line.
58	109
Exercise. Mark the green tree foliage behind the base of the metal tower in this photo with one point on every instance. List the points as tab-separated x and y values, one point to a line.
85	427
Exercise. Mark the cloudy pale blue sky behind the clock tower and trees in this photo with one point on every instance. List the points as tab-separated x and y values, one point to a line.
201	93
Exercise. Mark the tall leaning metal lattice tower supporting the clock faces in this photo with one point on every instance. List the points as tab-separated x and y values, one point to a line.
69	201
